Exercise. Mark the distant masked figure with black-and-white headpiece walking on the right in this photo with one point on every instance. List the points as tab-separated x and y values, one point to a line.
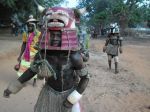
113	46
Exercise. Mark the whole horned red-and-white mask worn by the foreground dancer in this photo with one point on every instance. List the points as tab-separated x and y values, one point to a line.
63	20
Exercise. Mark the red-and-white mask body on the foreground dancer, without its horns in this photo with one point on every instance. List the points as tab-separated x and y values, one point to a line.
61	33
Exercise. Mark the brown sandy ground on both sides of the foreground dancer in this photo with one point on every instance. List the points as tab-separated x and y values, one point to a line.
128	91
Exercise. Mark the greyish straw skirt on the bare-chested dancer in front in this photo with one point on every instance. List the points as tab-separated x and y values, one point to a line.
51	101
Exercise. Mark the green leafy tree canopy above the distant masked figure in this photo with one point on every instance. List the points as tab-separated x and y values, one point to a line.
125	12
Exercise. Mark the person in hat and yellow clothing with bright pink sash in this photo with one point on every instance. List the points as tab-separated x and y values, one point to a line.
28	48
